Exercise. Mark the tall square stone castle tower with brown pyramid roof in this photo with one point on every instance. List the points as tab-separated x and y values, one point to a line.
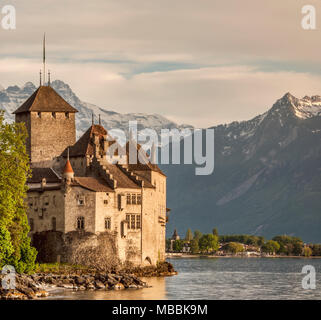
50	123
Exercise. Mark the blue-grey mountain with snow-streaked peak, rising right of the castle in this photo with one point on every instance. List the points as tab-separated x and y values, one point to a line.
266	180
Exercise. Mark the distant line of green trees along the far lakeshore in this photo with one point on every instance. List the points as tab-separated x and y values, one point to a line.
212	243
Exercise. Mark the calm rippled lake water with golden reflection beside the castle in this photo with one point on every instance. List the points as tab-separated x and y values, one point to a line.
220	278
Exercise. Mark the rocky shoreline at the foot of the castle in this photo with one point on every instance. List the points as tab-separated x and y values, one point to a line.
38	285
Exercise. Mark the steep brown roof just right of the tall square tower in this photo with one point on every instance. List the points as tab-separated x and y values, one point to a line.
85	146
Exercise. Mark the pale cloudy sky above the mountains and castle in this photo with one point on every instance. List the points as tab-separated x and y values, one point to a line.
198	62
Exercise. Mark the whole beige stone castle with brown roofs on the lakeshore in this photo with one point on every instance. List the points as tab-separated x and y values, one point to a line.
78	201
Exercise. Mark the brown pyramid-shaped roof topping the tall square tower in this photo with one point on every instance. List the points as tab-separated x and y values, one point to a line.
45	99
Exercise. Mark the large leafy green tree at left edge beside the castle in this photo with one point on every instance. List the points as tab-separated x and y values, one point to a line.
15	248
